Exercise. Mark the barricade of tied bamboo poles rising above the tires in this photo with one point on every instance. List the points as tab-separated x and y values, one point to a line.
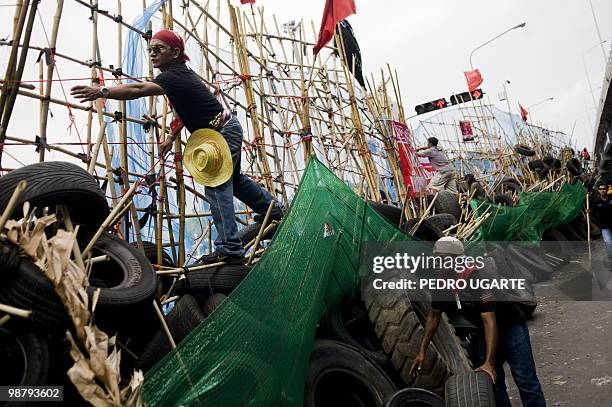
286	101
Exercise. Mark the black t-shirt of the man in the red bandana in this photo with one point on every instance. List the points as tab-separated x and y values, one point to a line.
191	99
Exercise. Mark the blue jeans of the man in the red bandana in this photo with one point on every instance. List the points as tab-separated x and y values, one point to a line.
221	198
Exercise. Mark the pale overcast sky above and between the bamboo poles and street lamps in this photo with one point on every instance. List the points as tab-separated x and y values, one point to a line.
428	42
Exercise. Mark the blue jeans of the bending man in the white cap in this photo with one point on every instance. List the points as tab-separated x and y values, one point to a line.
514	347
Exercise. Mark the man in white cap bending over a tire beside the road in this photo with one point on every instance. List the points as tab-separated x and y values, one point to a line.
506	337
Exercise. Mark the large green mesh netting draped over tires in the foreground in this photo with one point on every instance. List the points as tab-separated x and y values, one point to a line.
254	349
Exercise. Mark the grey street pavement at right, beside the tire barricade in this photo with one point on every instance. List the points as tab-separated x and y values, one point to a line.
572	340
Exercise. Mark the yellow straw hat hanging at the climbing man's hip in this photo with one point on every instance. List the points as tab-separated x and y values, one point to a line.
208	158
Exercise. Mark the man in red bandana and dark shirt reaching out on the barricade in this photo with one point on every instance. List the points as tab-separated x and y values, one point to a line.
197	108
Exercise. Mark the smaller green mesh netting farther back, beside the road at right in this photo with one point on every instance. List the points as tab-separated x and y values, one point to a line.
536	212
